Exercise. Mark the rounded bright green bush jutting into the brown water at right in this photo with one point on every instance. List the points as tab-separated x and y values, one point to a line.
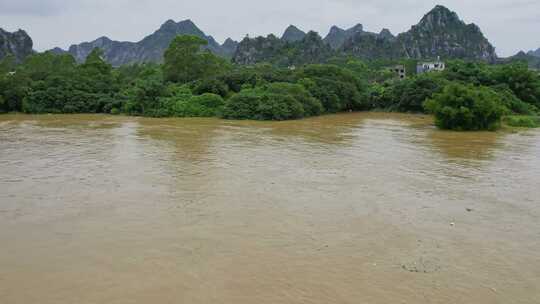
460	107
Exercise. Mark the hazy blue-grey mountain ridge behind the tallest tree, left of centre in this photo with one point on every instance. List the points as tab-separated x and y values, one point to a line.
150	49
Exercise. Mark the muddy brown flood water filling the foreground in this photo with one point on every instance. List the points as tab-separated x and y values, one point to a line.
351	208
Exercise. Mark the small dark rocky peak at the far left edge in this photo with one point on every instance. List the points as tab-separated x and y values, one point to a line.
18	44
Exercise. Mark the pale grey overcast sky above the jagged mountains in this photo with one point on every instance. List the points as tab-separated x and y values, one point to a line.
509	25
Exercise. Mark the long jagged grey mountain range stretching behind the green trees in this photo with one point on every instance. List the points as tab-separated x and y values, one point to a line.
439	33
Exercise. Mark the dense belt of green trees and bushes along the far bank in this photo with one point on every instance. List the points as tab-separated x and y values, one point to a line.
193	82
